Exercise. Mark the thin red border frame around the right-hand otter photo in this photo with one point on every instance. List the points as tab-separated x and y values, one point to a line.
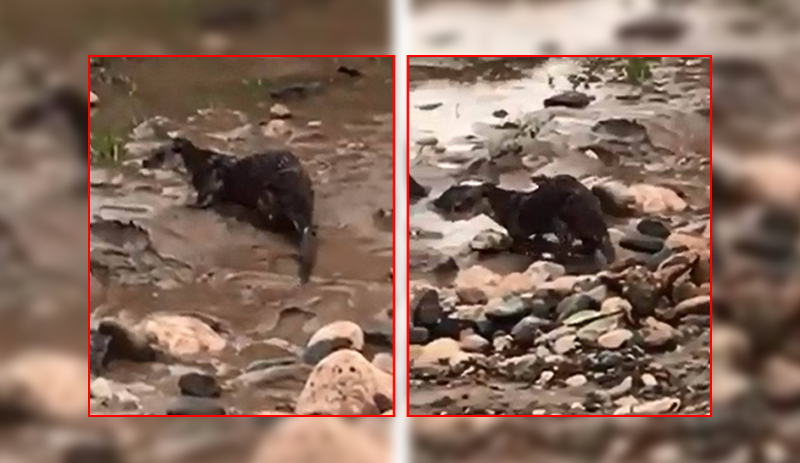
408	223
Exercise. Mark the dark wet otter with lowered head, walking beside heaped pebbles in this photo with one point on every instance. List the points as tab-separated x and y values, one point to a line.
561	205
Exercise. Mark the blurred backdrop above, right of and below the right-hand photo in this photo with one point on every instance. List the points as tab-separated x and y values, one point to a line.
756	309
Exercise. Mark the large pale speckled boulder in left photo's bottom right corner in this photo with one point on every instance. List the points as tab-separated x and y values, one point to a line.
345	383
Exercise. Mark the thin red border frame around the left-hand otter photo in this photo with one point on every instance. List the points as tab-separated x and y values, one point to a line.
394	206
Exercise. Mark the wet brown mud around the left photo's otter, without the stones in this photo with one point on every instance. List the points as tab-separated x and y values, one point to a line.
217	265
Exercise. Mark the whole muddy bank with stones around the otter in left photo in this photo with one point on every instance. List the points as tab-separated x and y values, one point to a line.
196	311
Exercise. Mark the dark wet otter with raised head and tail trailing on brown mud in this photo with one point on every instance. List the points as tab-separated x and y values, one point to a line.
274	184
